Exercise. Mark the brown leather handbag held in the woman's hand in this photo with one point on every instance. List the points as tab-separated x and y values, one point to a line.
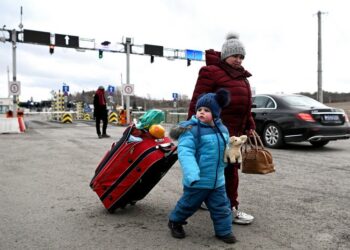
256	159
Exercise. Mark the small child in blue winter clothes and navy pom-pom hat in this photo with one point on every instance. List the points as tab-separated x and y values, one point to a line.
201	144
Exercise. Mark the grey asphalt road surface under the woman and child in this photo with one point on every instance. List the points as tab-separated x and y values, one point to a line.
46	201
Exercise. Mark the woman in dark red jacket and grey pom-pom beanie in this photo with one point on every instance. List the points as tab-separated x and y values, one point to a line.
225	70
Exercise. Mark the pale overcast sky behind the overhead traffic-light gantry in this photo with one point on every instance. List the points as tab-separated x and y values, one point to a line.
280	38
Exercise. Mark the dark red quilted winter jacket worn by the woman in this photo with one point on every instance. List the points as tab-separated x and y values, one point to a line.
218	74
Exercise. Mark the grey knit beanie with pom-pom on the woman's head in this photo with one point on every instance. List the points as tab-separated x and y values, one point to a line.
232	46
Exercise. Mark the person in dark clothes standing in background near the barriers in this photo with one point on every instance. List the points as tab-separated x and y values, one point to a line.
100	112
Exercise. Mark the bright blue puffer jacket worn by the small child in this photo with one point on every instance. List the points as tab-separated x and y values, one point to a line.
201	154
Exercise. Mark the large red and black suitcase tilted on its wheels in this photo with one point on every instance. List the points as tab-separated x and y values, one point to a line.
131	168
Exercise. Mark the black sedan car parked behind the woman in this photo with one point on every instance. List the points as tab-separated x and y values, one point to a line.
296	118
